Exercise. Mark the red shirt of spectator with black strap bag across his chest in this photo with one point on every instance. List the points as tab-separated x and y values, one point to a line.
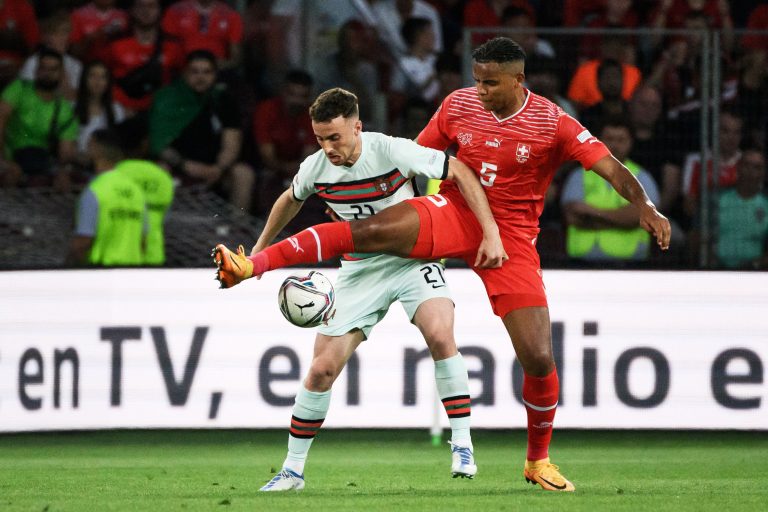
128	53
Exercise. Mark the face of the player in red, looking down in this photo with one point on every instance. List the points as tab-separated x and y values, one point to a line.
497	84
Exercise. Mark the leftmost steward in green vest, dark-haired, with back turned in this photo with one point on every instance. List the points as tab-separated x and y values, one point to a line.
111	218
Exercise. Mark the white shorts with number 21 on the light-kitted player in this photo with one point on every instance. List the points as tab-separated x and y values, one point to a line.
366	288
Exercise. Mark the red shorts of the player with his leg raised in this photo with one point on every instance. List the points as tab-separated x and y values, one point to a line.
449	229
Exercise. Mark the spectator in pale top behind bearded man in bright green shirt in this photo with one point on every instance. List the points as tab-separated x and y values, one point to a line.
56	31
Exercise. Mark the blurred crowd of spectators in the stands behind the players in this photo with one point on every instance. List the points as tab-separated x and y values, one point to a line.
215	95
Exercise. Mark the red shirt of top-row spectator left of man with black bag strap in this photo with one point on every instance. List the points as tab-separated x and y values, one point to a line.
88	20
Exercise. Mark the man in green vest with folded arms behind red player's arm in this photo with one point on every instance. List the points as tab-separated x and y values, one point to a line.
602	225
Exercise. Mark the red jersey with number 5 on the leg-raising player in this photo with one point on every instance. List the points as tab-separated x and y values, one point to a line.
516	157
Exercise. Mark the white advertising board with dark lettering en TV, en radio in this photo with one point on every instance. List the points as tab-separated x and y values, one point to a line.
166	348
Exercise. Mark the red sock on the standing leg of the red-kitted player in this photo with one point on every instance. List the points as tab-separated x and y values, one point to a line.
540	398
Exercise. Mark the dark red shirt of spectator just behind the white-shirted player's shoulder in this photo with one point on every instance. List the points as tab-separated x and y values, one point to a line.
290	134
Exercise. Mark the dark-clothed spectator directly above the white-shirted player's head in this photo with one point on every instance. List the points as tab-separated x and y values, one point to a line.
352	68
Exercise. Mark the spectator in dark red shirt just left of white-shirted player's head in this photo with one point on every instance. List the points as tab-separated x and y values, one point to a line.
283	135
